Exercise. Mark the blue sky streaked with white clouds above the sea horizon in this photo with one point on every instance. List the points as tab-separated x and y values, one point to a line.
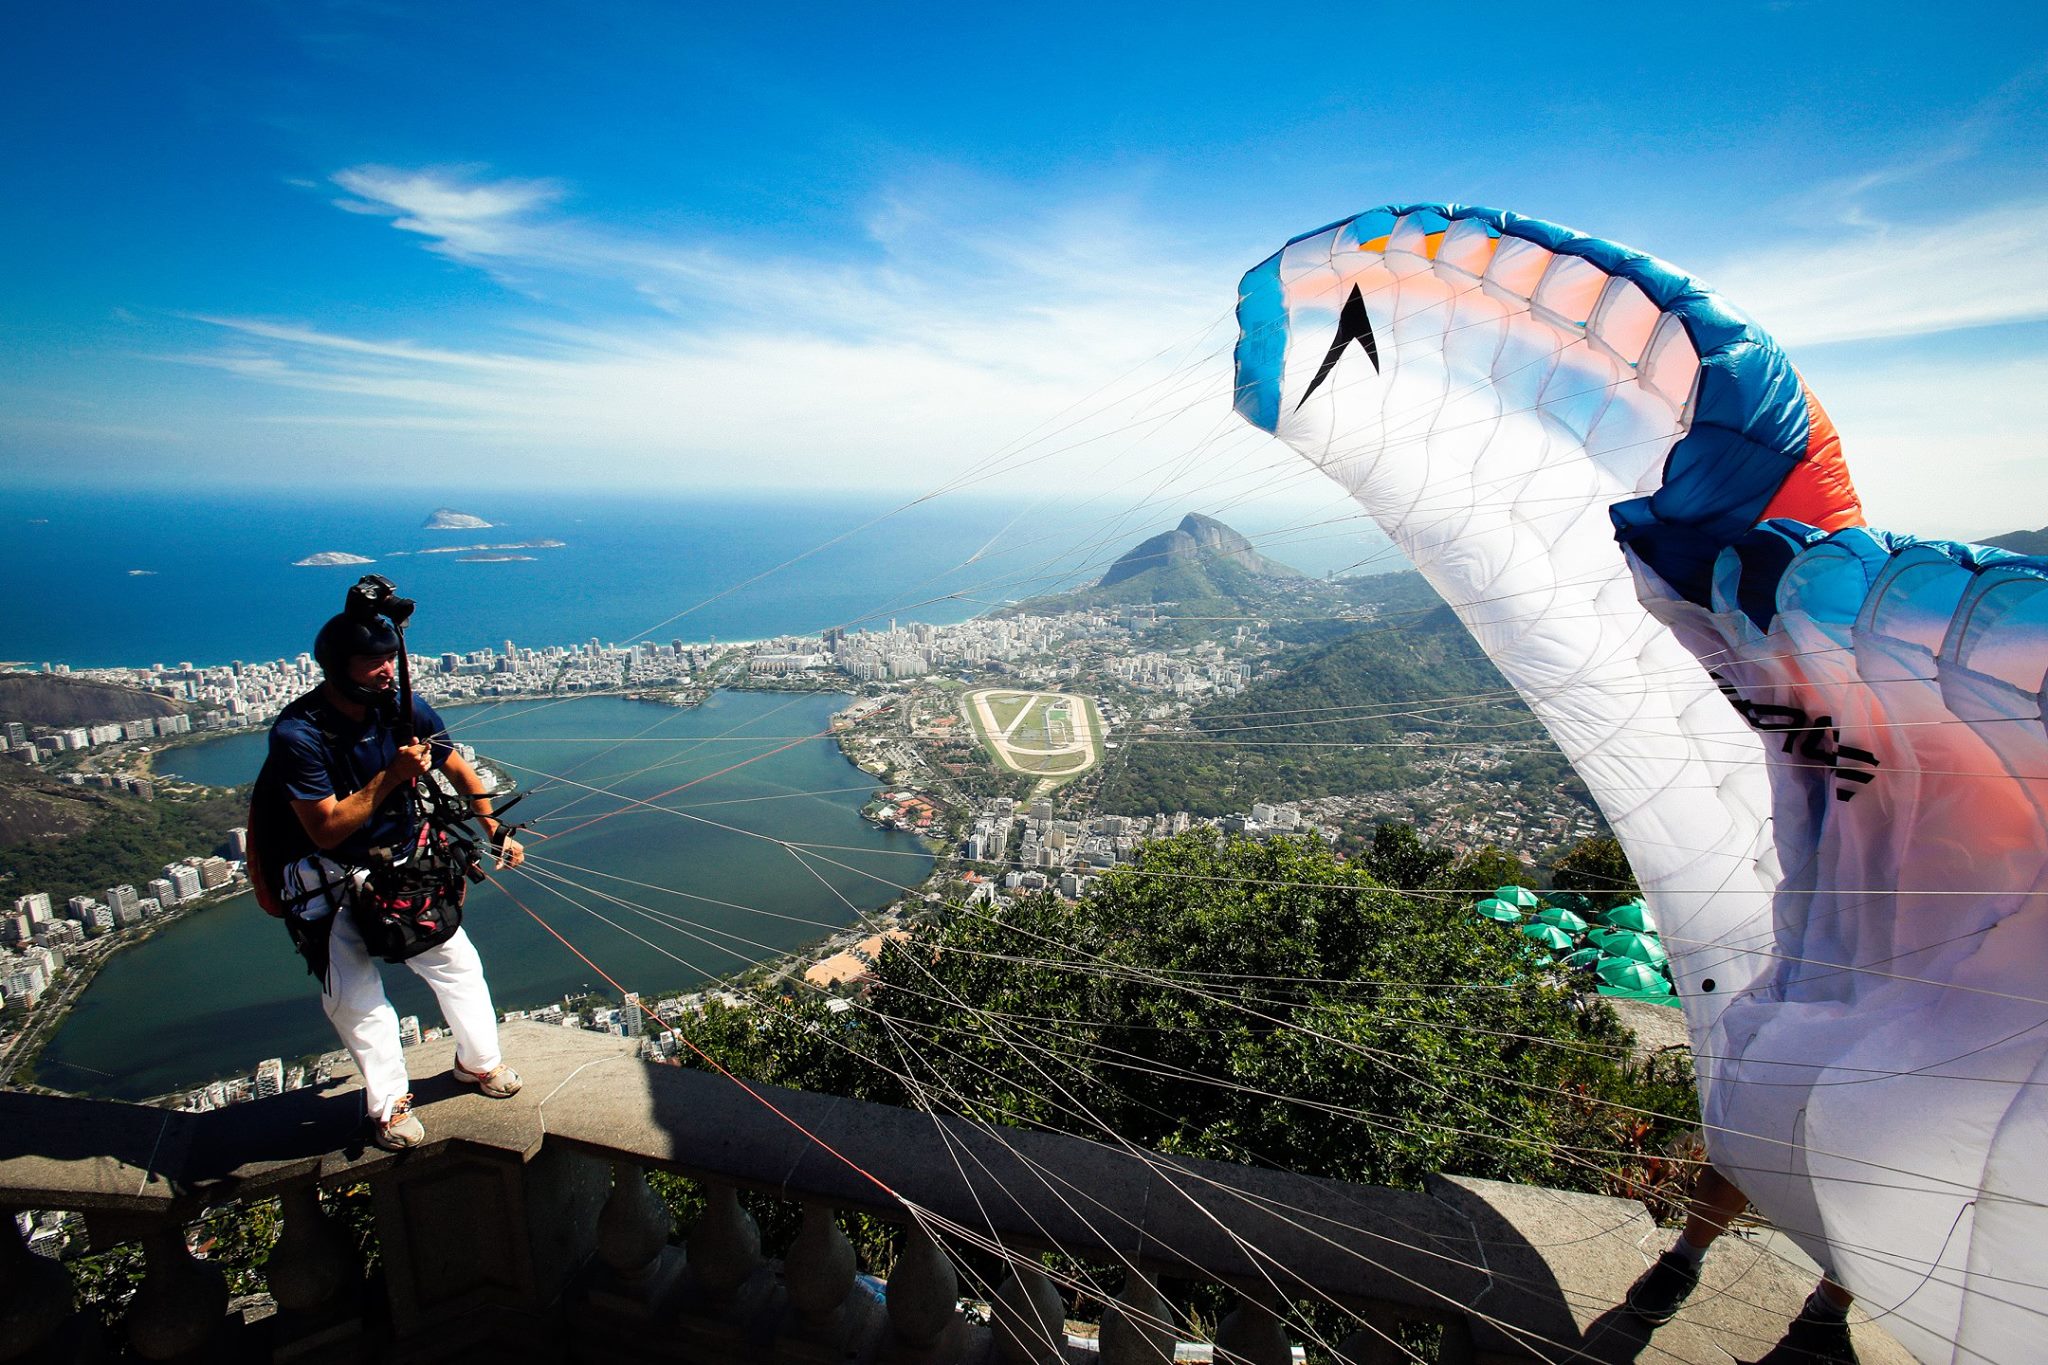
867	247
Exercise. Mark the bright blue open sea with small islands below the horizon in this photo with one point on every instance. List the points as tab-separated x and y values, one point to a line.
103	580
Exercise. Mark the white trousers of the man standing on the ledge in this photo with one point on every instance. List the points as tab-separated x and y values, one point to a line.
359	1012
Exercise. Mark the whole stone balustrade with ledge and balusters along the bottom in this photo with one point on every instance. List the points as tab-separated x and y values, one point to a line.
527	1231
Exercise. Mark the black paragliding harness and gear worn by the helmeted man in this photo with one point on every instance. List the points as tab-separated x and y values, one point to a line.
409	897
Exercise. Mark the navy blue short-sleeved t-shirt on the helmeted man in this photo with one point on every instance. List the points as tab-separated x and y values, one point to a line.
318	752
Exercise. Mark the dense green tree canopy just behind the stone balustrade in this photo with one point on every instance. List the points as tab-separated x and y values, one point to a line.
1248	1002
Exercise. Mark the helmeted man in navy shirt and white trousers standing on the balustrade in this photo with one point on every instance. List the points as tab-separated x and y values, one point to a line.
347	775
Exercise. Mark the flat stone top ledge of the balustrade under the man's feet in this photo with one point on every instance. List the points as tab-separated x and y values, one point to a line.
1535	1272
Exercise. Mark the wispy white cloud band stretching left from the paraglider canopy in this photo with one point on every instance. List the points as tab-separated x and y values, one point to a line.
939	333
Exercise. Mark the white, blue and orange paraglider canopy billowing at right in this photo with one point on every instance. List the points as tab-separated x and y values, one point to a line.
1820	746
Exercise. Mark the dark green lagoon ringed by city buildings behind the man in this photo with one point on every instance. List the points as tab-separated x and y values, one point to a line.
722	869
